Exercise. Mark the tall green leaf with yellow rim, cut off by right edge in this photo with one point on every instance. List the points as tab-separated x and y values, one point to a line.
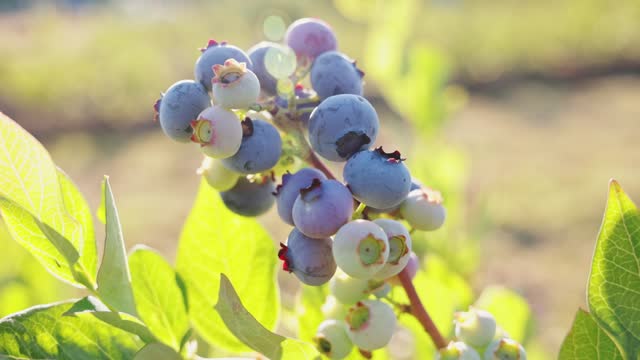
614	283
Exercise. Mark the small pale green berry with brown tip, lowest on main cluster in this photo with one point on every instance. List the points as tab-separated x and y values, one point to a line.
332	340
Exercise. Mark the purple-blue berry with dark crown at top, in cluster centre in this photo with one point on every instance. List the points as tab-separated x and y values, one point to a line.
322	208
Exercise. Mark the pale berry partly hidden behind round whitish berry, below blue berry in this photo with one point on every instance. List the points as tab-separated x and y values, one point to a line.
399	247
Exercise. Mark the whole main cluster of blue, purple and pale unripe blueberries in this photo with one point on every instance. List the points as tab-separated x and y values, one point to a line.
257	116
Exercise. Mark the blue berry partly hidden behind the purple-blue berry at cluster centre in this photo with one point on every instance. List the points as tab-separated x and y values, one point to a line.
288	192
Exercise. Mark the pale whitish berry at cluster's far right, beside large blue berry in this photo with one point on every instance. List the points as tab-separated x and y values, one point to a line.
423	209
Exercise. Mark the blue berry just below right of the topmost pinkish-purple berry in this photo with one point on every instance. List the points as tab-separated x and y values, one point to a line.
333	73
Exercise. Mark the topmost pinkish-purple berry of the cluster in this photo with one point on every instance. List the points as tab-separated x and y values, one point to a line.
310	37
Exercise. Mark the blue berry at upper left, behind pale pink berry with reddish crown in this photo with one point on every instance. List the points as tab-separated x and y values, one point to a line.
216	54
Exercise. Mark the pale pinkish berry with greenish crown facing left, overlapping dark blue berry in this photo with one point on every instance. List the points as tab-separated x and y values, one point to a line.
218	131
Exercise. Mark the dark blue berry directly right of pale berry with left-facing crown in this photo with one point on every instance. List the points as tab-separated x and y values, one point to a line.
258	152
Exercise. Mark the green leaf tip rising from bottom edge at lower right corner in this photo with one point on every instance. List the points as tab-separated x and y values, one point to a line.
587	341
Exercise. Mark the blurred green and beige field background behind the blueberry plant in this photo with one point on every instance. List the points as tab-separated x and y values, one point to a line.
523	110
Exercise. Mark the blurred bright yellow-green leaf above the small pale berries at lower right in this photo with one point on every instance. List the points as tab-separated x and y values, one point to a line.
511	310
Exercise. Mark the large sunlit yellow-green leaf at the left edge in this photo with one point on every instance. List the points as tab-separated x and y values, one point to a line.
31	188
